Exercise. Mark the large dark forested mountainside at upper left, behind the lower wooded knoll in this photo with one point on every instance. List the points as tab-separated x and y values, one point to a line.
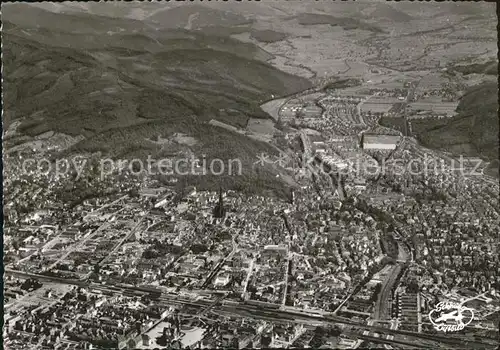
122	83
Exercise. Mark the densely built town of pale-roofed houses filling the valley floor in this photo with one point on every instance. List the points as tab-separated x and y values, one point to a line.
145	264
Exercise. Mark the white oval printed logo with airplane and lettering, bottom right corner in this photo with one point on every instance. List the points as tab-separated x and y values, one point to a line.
450	317
